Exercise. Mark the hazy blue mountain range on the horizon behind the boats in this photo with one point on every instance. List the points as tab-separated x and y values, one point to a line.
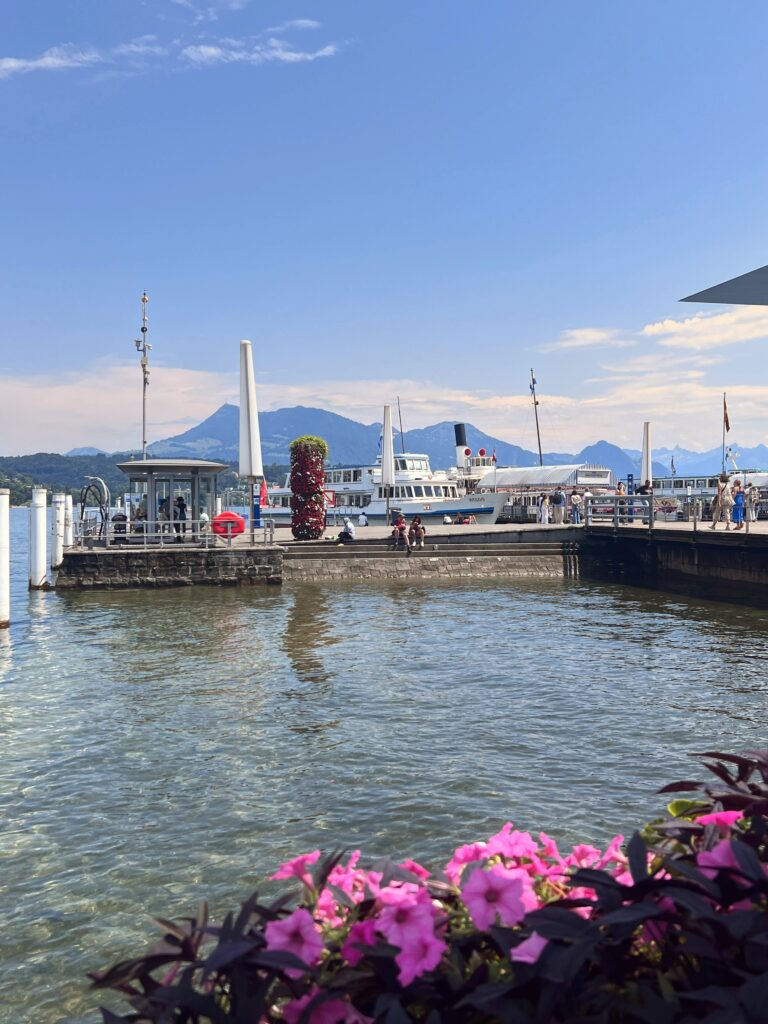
357	444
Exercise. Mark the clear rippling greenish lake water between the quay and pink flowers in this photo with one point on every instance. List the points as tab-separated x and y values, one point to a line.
158	748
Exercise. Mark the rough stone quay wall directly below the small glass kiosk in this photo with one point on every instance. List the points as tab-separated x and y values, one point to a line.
138	568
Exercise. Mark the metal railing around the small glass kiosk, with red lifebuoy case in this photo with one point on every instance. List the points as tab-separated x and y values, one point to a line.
94	532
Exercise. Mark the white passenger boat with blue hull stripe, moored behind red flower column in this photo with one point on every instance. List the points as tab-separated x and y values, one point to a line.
418	491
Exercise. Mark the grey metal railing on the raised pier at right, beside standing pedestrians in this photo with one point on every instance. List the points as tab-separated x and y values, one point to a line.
651	511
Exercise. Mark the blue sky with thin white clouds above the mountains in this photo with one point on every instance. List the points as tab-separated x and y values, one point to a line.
418	199
